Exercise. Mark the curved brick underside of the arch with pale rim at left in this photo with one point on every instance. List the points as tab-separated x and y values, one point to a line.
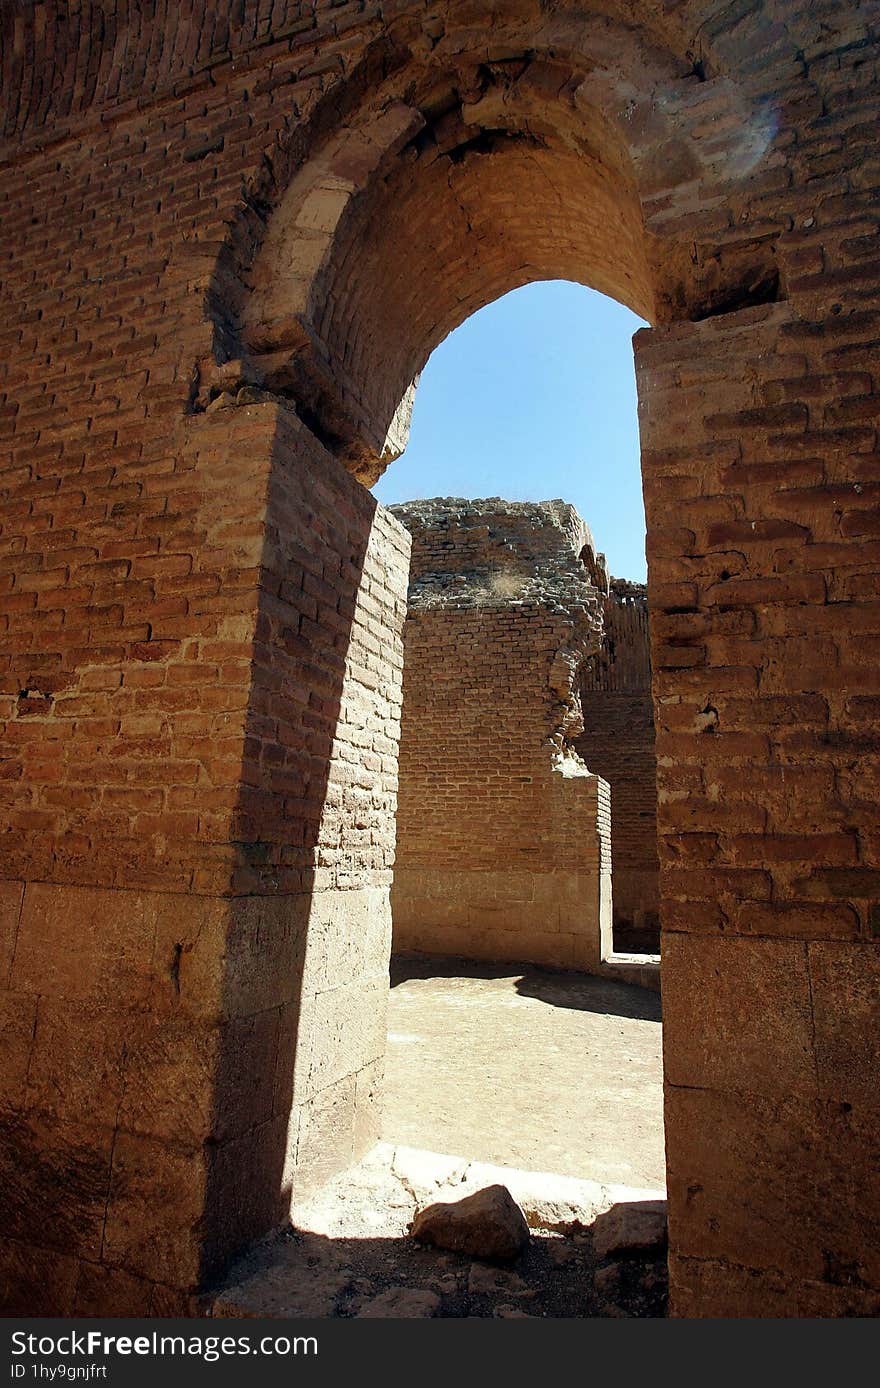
371	291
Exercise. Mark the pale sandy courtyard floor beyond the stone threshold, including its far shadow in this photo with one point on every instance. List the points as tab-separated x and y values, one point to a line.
527	1068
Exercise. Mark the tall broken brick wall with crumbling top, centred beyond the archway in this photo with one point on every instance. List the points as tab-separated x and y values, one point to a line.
502	836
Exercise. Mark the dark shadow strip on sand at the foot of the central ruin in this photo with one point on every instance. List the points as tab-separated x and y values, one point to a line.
557	988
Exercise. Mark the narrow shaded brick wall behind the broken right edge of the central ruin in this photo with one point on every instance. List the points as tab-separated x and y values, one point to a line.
618	745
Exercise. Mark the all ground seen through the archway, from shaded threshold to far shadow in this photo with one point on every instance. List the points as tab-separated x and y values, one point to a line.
557	1075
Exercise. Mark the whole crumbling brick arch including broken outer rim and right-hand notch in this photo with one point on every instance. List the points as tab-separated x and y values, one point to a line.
536	164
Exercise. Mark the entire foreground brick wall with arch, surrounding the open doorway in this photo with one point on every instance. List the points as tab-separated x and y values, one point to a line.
232	235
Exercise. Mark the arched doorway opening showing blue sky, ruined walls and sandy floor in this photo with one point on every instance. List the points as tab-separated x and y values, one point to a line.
524	913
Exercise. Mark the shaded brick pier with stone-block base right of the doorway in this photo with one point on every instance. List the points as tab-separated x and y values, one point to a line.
765	688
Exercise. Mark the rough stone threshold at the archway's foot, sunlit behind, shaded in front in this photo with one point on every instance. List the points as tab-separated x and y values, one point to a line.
350	1253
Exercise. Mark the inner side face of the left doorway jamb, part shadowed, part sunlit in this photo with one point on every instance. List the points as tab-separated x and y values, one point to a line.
292	972
